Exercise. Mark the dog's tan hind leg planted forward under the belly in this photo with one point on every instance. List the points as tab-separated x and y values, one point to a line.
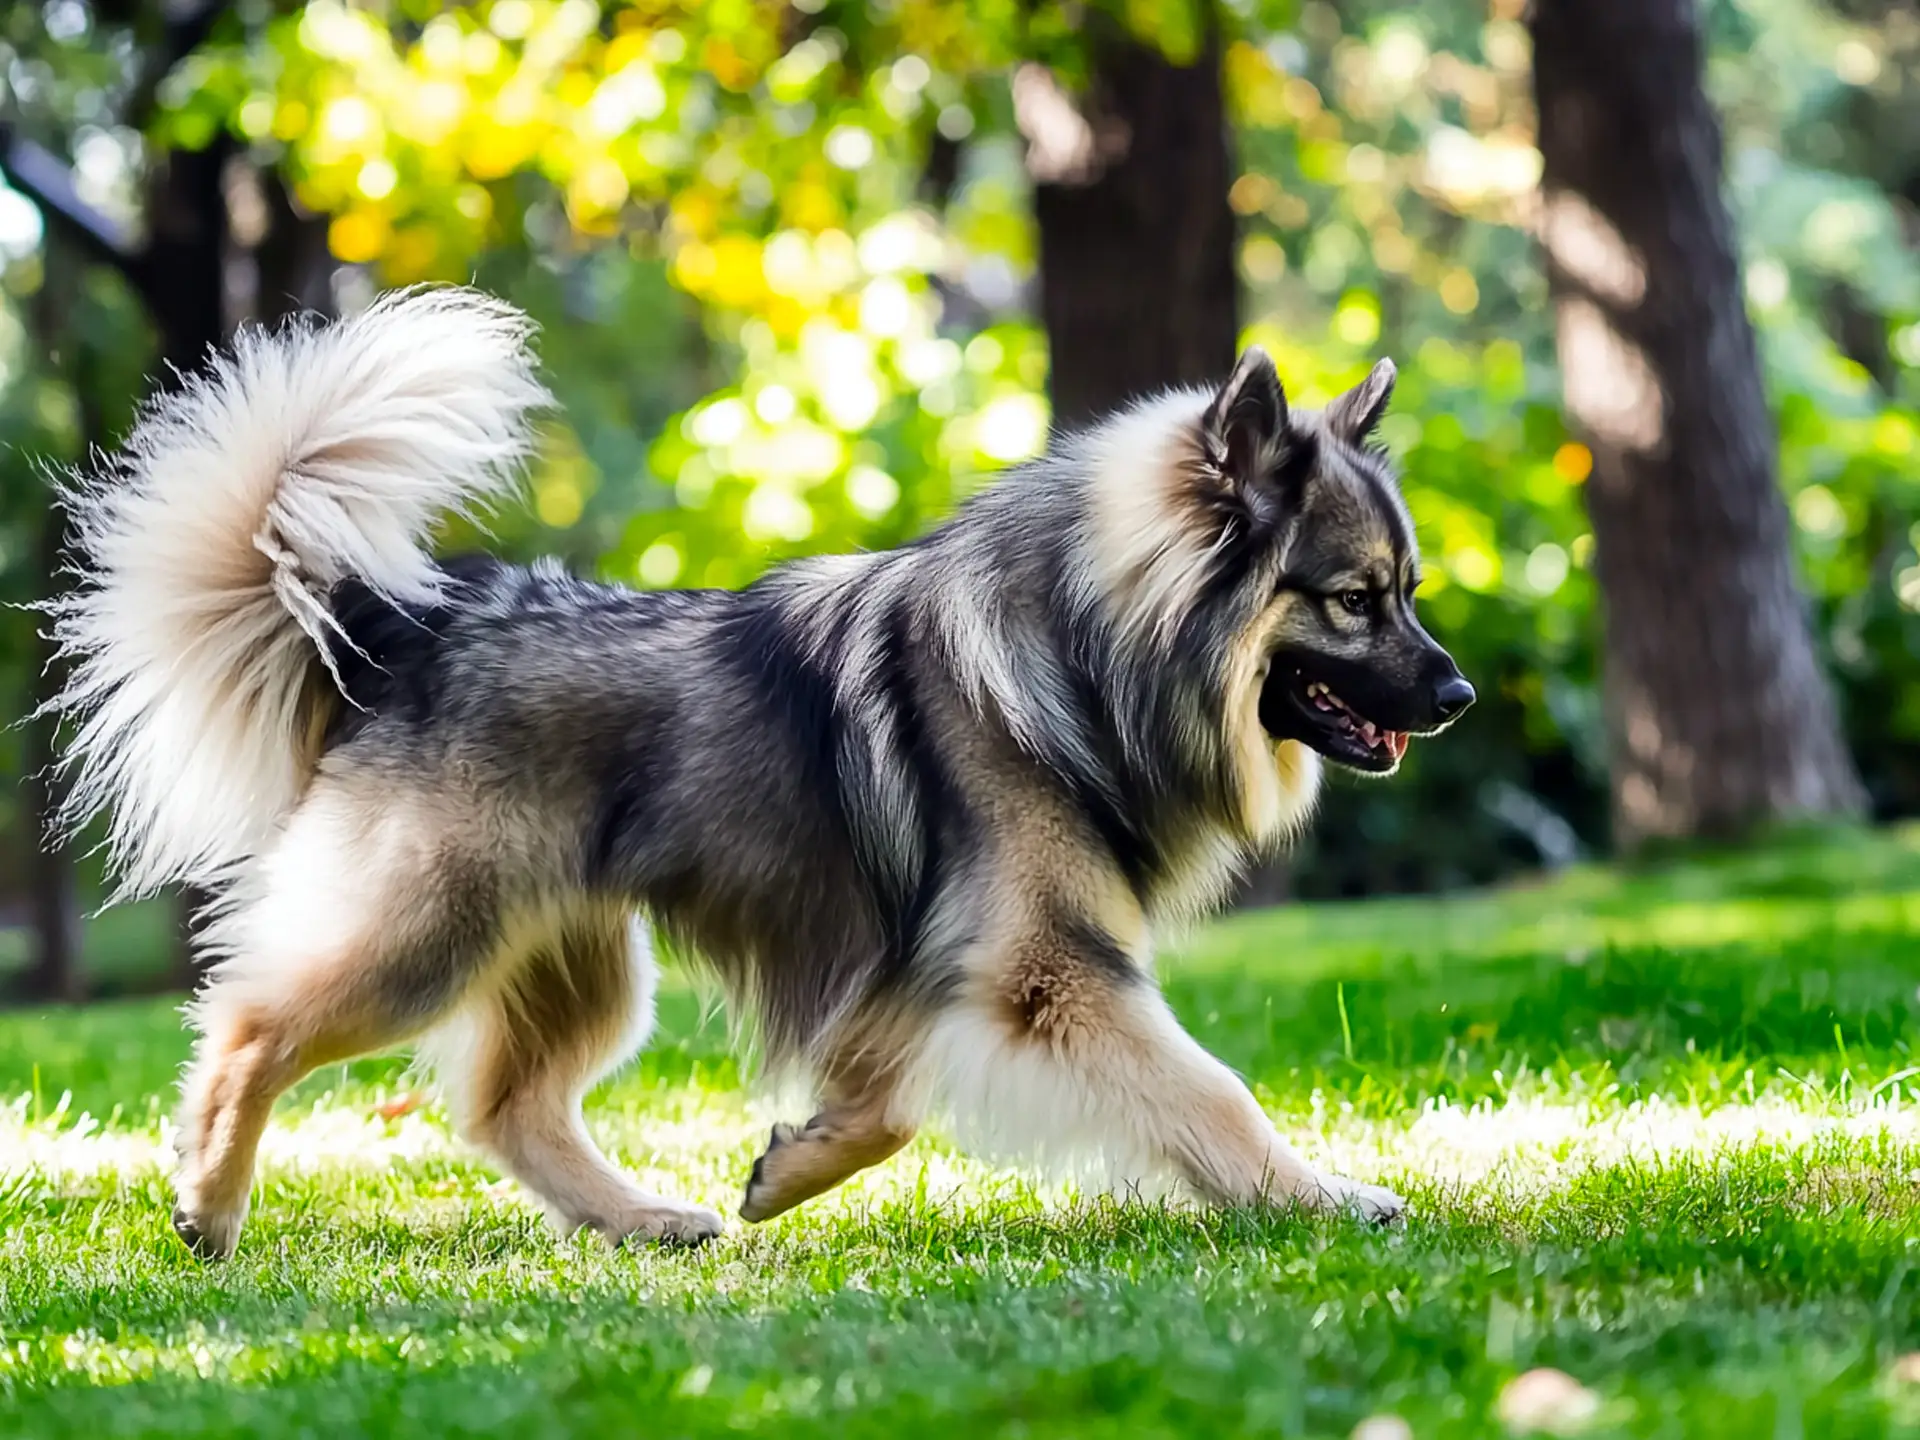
577	1003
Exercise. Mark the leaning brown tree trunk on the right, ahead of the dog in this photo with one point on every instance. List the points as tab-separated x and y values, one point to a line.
1717	709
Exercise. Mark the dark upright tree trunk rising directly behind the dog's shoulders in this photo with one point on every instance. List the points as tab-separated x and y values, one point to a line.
1138	285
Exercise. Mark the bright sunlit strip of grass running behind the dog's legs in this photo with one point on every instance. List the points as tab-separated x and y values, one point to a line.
1527	1147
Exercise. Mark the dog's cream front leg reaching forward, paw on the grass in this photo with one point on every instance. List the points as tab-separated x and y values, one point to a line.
1067	1045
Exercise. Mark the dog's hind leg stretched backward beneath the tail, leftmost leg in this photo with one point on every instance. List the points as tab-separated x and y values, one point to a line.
348	938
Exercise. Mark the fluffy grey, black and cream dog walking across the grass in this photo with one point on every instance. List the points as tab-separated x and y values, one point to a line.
923	811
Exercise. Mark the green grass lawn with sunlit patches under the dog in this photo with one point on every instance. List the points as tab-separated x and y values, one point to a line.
1660	1132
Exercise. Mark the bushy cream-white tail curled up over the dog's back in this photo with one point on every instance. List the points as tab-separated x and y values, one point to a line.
210	544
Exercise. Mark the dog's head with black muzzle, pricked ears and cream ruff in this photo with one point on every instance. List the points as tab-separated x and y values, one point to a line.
1270	550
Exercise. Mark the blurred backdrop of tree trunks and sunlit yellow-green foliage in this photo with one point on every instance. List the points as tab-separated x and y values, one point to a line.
811	272
